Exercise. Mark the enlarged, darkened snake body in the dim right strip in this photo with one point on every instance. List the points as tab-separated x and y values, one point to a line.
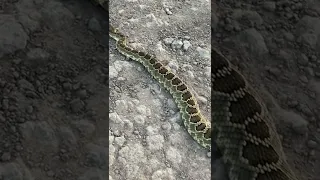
243	129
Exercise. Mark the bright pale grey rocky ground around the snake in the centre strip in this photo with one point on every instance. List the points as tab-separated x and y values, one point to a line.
147	138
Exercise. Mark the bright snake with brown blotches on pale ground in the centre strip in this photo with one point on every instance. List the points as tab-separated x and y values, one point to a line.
196	124
